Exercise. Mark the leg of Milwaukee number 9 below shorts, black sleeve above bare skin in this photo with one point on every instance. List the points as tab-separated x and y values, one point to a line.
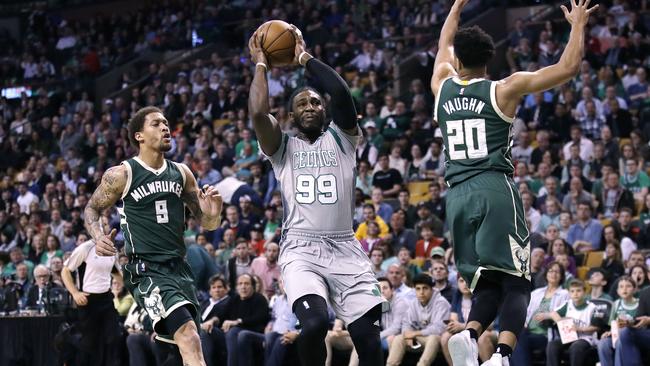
181	324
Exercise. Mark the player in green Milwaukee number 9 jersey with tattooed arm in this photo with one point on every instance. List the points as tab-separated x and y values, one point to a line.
154	192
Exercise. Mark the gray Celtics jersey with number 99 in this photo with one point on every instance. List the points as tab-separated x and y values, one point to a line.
317	181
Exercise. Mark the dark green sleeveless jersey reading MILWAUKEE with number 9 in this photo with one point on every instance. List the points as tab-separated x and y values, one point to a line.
152	216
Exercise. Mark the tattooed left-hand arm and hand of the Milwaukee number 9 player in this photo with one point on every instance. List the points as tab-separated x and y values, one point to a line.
109	191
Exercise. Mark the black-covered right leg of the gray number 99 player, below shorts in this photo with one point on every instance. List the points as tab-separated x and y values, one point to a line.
365	336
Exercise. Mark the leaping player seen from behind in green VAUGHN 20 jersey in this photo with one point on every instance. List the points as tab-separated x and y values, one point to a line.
485	213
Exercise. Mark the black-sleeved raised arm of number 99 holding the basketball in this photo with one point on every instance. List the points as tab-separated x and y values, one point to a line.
344	113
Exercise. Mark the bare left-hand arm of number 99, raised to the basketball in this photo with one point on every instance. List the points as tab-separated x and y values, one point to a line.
267	129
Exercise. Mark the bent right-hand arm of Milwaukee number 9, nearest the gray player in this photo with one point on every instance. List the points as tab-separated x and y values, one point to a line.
205	205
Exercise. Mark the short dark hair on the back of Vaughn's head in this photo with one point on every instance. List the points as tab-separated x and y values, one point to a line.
473	47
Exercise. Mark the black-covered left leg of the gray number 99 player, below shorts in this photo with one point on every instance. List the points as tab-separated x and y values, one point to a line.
311	311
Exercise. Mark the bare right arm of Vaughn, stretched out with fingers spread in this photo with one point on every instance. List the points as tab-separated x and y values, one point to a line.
510	89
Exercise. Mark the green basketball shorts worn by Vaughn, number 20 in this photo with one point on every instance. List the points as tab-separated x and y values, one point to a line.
488	227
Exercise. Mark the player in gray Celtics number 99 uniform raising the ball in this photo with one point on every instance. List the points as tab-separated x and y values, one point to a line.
319	256
